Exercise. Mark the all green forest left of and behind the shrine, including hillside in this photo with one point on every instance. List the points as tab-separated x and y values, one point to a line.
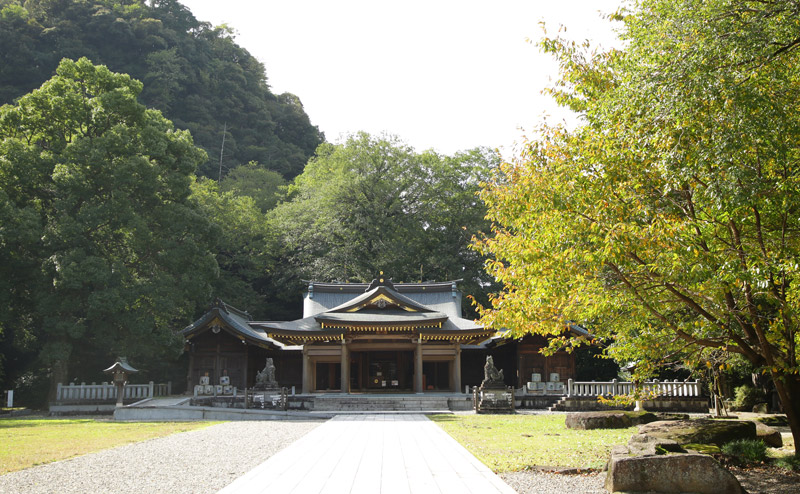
117	228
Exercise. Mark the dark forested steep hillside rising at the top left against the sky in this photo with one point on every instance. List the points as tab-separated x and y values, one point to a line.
194	73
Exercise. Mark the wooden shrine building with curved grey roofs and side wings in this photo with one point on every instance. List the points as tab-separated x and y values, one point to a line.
361	338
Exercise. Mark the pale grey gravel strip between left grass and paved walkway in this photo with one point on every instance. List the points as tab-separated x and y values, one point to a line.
199	461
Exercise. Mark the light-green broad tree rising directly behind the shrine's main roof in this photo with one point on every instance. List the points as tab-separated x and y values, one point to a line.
373	204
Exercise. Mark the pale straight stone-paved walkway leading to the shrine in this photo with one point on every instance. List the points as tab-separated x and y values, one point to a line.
379	453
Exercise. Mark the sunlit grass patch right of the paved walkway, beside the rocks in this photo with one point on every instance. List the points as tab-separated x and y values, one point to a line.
507	443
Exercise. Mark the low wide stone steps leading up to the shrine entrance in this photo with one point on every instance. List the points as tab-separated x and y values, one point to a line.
412	402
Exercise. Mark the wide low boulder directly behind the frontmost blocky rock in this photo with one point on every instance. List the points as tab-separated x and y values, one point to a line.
703	431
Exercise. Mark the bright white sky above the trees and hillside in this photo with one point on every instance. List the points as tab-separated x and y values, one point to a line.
441	74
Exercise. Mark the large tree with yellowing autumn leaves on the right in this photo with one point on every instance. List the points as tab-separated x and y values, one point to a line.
667	221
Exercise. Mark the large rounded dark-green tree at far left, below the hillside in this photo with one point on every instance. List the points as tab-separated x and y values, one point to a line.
106	252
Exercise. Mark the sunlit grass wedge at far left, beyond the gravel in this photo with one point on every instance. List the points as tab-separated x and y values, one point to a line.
26	442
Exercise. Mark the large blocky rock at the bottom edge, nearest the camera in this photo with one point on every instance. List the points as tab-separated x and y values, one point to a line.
671	473
